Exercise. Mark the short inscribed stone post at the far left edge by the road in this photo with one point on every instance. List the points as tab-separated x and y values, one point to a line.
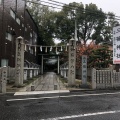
3	79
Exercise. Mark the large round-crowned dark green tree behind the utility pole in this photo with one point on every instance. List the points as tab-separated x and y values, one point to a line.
88	17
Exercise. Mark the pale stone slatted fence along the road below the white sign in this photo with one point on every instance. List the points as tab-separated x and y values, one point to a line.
102	79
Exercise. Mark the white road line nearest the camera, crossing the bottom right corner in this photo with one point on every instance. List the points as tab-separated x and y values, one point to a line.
83	115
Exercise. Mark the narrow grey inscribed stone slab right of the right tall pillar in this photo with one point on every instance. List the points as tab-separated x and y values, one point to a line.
84	69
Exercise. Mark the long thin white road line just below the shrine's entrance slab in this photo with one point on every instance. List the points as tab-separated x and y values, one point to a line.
84	95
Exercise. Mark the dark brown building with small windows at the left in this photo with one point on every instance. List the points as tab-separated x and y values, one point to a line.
15	21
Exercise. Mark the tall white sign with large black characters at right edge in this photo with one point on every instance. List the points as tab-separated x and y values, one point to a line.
116	45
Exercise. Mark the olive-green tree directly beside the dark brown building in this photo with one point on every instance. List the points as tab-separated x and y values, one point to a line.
44	18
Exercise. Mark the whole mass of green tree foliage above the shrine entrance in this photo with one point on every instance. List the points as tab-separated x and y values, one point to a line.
92	23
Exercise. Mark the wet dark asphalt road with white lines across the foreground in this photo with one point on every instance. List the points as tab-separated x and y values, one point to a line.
86	105
